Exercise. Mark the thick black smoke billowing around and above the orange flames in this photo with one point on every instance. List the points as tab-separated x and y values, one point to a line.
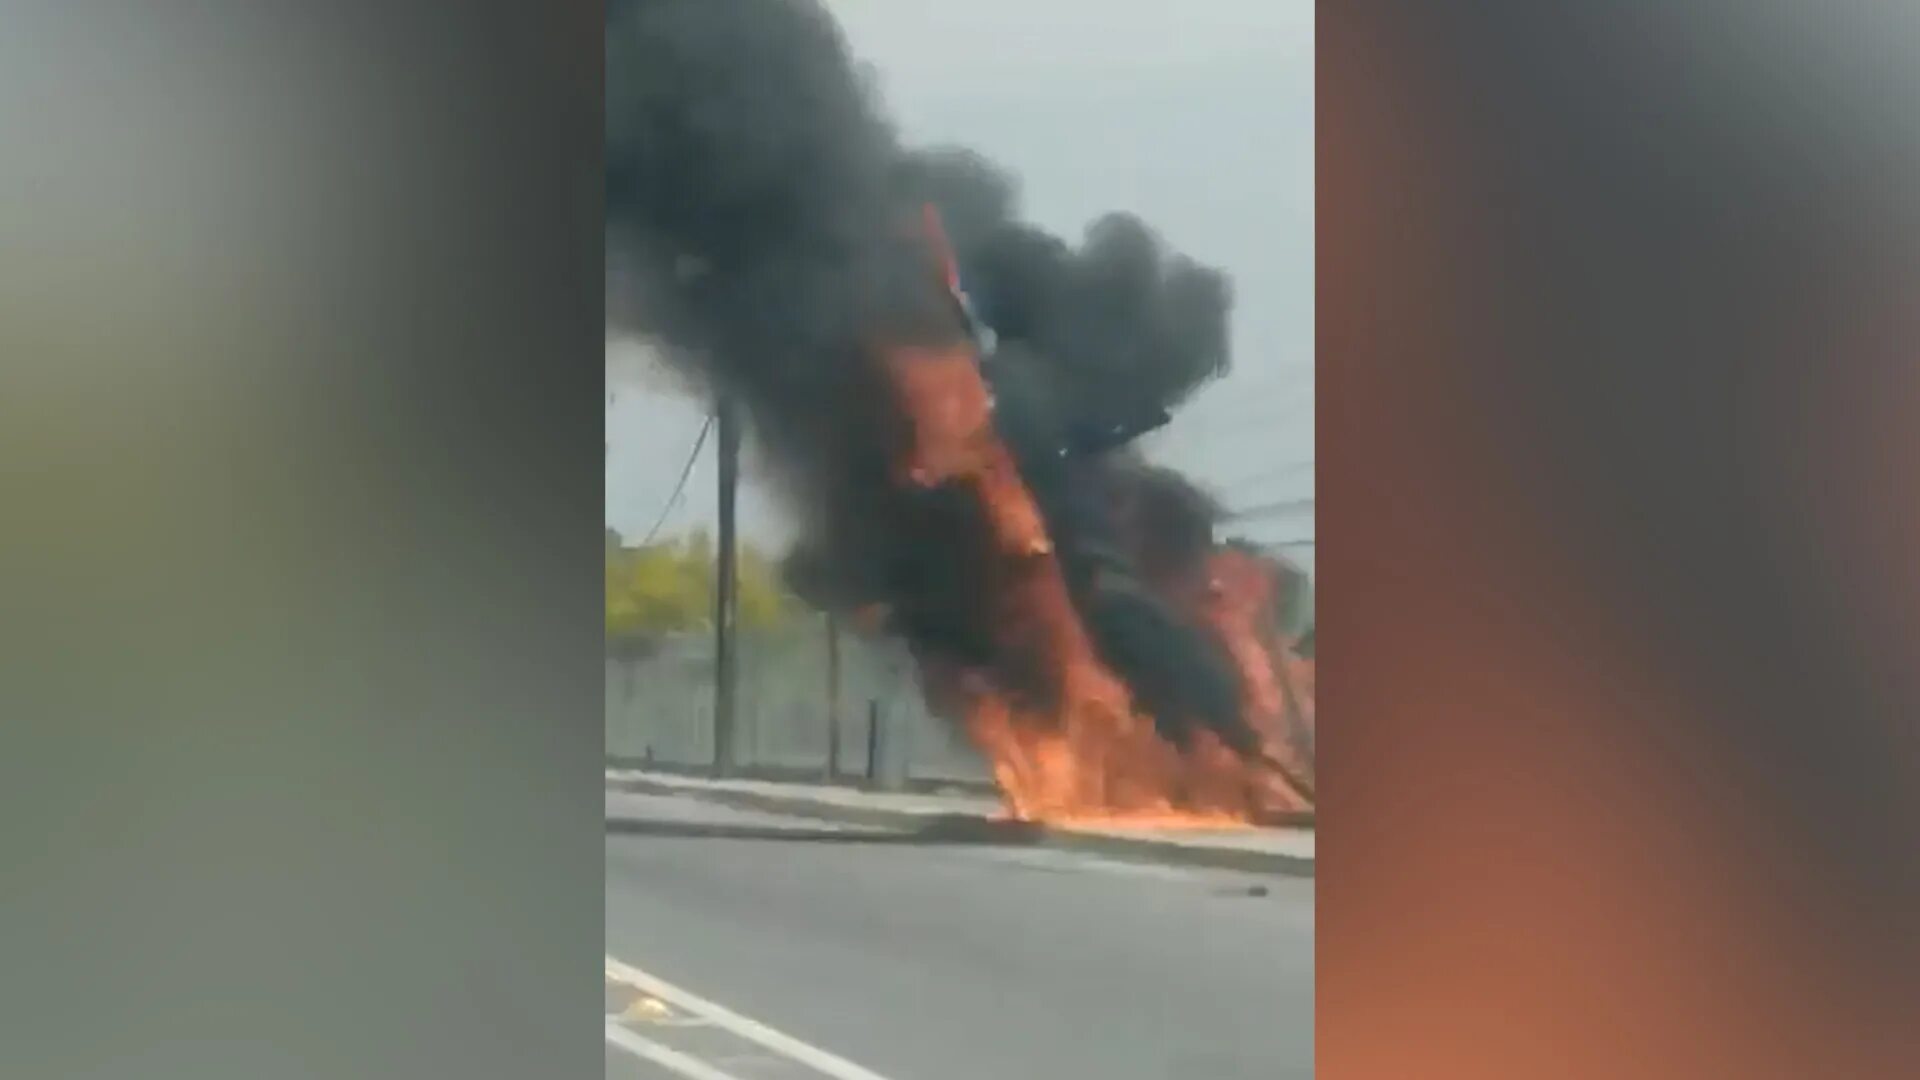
763	224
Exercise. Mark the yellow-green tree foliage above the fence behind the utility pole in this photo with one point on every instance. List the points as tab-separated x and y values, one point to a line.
667	589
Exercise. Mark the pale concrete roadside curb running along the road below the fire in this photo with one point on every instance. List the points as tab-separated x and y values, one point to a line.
982	829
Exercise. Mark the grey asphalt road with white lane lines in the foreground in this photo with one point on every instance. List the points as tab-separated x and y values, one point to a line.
915	962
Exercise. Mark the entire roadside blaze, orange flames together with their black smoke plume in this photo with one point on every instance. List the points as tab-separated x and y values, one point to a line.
959	454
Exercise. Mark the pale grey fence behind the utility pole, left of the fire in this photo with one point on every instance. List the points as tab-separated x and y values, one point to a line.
660	710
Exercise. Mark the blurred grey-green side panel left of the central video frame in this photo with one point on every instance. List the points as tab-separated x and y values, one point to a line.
300	439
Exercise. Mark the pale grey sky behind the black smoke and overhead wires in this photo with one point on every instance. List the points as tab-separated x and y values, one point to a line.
1197	116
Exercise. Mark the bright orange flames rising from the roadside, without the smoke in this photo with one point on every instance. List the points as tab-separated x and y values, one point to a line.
1090	756
